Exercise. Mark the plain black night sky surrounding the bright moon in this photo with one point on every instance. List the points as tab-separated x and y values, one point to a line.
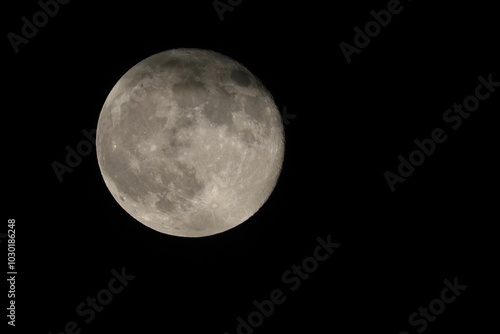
353	120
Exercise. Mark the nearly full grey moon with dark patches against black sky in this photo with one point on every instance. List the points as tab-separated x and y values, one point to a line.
190	143
